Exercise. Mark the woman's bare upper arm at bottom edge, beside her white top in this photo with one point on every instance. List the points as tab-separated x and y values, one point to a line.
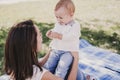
50	76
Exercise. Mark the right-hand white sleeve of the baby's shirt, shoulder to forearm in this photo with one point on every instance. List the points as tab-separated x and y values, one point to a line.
73	33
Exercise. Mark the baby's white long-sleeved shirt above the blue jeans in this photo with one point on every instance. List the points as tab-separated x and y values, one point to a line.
70	38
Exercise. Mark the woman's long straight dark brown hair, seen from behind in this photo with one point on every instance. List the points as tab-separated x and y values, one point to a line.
20	50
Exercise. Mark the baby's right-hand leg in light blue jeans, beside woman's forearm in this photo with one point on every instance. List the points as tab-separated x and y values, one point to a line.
64	65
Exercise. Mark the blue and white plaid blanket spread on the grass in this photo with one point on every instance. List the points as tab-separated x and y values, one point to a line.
100	63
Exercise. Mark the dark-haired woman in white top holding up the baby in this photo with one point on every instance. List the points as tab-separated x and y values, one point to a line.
21	63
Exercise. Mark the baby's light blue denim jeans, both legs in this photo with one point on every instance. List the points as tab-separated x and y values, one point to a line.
59	62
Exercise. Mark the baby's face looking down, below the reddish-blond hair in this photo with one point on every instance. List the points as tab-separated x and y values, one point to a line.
63	16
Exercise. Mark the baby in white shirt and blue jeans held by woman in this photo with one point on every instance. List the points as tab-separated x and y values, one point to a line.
65	39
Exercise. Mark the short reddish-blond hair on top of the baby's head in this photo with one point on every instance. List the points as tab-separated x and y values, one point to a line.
68	4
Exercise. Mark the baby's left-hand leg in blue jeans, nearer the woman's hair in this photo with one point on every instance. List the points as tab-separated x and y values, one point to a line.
52	61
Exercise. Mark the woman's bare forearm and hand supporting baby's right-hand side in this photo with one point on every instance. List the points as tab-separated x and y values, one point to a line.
74	69
